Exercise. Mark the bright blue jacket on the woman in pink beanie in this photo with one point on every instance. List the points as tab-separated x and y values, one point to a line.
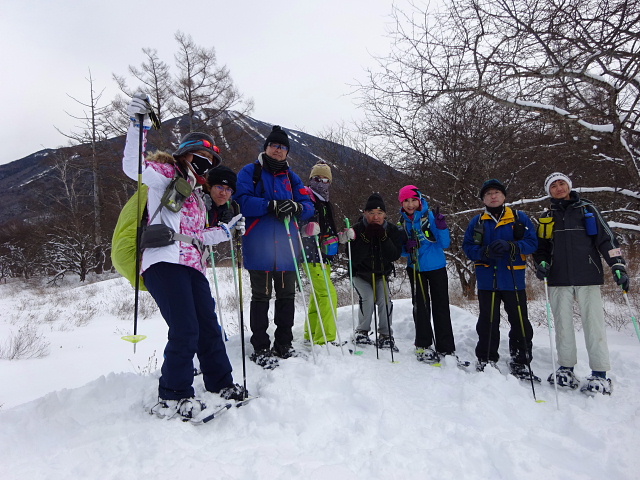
431	240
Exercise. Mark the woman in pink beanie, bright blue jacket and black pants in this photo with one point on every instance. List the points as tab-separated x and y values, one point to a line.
427	237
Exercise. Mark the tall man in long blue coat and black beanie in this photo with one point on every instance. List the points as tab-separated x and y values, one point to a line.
269	194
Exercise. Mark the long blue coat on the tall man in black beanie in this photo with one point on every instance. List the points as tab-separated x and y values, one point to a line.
265	244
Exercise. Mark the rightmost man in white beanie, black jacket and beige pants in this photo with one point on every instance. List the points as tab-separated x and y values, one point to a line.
572	237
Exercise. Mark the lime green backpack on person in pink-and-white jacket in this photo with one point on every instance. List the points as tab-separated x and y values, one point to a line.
124	241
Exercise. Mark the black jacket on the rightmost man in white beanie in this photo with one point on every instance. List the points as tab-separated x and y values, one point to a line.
574	255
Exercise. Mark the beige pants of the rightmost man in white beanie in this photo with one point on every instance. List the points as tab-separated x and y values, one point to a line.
592	315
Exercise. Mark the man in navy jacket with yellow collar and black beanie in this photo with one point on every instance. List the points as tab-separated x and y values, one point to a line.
498	241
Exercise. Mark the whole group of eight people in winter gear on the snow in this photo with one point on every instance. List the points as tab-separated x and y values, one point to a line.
280	218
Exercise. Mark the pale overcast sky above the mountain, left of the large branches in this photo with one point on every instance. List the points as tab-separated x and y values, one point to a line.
296	59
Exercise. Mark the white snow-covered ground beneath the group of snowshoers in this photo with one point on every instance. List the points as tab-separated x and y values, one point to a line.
78	412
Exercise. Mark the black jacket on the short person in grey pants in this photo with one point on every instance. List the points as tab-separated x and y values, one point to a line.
374	255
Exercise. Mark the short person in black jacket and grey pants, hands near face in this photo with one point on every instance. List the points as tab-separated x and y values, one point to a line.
377	245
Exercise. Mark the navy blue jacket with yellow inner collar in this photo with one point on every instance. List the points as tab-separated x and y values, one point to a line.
487	275
